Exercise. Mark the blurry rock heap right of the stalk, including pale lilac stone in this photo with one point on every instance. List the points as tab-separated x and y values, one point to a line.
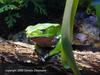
87	31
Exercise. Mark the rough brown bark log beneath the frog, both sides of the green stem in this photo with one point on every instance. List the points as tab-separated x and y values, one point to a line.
19	51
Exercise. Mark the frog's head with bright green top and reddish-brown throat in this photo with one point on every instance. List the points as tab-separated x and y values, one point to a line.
43	34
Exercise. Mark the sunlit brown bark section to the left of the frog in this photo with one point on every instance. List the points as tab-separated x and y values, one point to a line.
18	51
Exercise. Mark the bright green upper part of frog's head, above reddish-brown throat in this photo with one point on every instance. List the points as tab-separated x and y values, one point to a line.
43	30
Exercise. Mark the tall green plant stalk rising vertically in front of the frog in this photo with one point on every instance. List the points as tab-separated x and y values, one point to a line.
67	32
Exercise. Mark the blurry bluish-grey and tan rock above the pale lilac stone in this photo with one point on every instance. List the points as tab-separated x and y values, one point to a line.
89	26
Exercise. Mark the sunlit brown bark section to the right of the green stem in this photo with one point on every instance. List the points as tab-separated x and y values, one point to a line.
88	60
